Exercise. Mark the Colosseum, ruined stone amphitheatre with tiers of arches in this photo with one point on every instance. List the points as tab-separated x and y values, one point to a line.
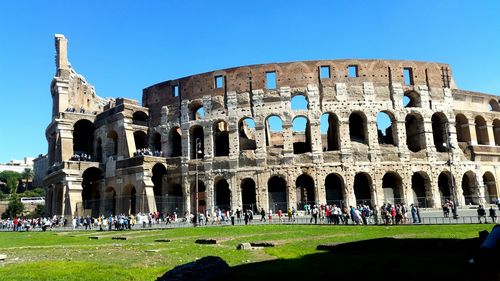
272	136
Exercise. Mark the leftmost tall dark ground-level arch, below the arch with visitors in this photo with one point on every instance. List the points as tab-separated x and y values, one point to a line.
91	198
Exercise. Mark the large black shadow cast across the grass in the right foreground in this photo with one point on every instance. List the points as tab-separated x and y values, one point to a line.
377	259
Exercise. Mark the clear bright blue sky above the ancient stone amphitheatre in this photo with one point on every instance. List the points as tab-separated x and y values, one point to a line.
122	47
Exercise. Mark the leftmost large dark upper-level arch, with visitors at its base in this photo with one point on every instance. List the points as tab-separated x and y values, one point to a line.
83	139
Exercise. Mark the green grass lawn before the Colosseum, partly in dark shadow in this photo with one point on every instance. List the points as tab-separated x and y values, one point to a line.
73	256
